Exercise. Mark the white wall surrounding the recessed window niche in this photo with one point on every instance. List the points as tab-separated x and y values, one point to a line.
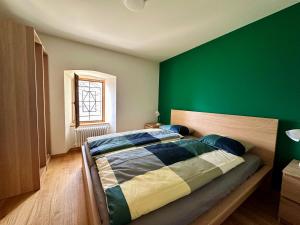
137	84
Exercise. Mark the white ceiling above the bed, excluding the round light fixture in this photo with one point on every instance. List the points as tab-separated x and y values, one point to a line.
162	30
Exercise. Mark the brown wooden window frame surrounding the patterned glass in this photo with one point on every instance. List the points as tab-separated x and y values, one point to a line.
76	102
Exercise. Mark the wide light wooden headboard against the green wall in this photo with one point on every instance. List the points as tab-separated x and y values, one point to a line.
261	132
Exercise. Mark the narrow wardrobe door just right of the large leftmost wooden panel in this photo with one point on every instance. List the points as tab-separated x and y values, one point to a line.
39	68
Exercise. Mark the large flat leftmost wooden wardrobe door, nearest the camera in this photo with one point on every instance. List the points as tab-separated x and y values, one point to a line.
19	158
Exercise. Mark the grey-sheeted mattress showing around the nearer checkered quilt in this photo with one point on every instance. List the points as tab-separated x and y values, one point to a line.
188	208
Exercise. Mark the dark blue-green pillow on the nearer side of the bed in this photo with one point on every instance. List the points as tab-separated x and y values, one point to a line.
225	143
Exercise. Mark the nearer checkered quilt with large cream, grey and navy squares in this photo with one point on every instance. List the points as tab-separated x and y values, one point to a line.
138	180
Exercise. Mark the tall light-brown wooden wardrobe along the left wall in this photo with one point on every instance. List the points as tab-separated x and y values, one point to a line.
24	109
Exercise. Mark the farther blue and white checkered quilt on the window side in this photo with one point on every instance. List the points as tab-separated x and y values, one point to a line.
111	142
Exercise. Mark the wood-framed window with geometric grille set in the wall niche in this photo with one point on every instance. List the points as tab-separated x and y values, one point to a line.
89	101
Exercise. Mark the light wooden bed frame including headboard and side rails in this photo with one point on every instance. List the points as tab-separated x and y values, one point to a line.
262	132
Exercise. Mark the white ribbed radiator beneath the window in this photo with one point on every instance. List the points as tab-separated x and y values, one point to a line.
82	133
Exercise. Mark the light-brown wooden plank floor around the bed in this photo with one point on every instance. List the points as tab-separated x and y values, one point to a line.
61	201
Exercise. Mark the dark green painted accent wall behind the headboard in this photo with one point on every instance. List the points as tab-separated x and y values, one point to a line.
253	71
